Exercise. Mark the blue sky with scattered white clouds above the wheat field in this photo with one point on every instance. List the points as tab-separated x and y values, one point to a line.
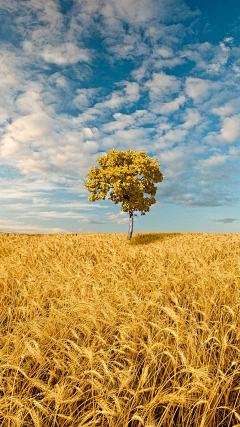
80	77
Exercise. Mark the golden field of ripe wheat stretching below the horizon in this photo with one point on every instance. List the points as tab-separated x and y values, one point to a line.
97	330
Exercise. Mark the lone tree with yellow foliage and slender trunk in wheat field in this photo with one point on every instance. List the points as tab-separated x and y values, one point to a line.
118	171
